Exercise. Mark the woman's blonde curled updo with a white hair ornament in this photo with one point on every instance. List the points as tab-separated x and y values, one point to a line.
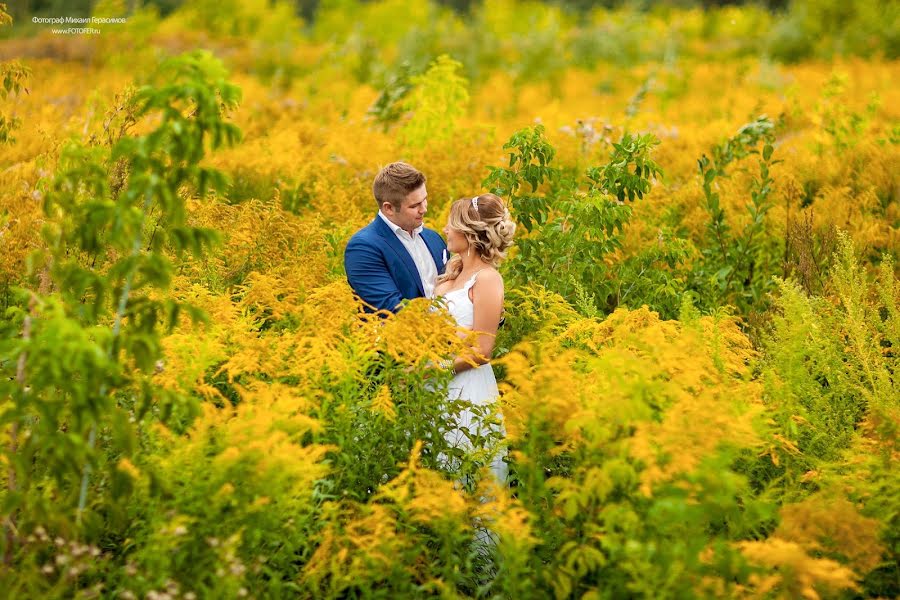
488	228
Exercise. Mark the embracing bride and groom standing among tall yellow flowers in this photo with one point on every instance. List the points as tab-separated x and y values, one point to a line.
396	258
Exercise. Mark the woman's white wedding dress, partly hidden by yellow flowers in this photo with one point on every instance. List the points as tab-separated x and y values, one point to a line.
478	385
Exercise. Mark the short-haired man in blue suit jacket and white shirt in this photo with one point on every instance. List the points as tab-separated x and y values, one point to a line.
394	257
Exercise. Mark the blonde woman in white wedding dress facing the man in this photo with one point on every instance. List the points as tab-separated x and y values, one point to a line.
478	232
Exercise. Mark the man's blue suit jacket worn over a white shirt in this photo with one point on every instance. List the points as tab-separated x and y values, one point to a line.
380	269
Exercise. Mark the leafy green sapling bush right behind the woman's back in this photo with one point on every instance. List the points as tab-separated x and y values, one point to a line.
573	223
